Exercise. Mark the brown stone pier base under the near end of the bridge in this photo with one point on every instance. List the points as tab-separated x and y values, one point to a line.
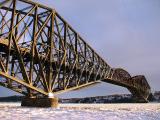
40	102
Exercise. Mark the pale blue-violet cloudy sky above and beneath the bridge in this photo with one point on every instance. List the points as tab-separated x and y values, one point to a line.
126	33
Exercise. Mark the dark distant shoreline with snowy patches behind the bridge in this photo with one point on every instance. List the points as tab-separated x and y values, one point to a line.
117	98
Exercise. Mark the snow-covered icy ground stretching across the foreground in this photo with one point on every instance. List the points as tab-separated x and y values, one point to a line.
13	111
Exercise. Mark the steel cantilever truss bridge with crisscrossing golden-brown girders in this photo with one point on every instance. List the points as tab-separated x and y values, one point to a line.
41	54
